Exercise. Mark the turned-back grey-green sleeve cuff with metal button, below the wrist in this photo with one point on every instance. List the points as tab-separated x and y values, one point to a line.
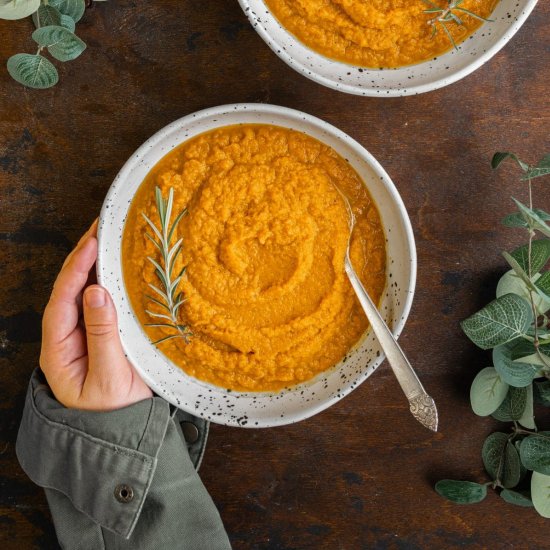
83	465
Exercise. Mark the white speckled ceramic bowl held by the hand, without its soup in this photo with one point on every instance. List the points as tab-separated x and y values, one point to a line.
255	409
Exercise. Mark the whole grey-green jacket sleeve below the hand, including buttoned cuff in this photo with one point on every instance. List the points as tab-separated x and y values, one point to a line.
121	479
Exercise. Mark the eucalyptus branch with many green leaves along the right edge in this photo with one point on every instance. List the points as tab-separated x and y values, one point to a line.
515	327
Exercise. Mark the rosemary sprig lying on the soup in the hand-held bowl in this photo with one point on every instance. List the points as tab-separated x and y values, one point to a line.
170	298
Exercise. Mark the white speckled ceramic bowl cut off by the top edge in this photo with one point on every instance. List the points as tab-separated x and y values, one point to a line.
430	75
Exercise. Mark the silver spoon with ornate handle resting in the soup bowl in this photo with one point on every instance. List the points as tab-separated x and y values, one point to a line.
422	406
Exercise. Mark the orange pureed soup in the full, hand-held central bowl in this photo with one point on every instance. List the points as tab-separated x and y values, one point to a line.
268	301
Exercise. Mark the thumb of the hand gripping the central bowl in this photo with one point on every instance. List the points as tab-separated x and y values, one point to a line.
104	347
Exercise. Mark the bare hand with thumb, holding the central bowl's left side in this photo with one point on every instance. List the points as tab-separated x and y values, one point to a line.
83	360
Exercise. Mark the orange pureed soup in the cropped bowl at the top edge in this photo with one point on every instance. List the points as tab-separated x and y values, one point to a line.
376	33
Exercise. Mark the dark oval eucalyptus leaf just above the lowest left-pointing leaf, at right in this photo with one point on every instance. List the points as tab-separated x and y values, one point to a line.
501	459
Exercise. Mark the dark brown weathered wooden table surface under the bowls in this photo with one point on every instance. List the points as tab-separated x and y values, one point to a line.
361	474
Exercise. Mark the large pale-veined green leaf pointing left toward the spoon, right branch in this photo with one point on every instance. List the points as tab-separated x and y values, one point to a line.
499	322
